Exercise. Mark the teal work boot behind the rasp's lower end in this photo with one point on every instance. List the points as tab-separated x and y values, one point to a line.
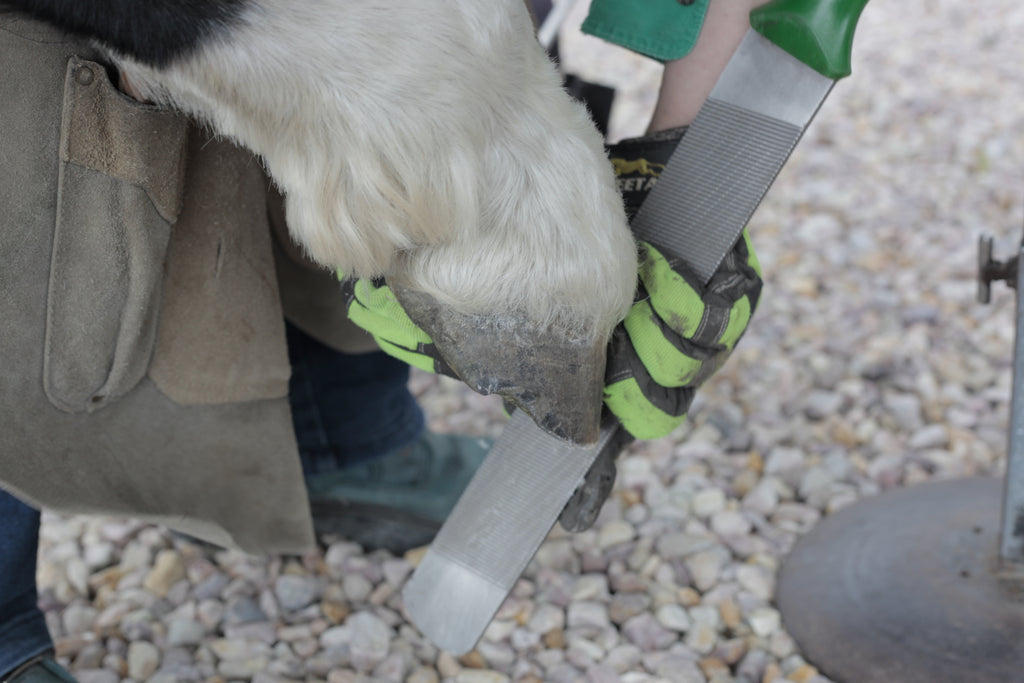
399	501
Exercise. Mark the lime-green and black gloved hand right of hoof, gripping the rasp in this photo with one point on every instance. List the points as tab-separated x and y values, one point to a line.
679	332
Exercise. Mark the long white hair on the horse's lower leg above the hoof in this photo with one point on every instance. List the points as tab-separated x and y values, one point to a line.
431	142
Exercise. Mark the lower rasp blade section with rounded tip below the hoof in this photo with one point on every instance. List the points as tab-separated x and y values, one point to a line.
494	532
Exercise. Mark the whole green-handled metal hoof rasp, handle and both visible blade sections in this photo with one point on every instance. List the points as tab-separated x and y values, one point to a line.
722	168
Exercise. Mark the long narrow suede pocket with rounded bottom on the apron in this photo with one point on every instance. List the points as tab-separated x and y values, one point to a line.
119	193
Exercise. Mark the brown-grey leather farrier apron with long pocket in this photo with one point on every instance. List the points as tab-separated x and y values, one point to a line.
144	282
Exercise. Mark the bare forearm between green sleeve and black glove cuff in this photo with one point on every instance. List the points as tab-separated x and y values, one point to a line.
689	81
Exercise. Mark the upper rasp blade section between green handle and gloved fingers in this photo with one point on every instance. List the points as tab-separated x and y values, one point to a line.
737	146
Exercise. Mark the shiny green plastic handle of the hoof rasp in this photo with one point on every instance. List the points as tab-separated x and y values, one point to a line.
820	33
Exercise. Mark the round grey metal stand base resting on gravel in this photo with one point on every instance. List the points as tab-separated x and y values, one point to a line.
904	588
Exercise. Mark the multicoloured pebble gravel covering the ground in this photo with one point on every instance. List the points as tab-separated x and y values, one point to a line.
869	367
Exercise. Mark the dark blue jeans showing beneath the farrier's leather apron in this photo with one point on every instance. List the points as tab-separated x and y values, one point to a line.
346	409
